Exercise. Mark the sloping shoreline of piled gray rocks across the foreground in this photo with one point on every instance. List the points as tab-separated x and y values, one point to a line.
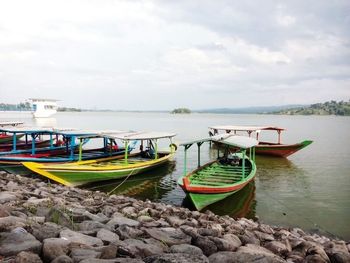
41	222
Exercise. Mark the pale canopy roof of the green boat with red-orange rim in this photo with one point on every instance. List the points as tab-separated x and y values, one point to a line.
243	142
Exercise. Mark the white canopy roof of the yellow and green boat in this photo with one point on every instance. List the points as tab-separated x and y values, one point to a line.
130	136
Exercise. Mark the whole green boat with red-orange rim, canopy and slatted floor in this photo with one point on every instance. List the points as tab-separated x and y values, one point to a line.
230	172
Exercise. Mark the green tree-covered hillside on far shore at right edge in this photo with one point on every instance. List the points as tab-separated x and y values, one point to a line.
341	108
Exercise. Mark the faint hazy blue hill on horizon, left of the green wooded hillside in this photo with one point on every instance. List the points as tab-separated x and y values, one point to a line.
250	110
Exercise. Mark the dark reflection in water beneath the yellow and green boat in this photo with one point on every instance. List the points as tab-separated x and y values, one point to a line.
149	185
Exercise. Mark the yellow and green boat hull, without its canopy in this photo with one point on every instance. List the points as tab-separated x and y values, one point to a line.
80	173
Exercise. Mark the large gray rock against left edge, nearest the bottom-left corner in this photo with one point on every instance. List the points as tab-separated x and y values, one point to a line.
16	241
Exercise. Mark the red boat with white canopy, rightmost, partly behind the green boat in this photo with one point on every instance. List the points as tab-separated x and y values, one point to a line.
277	149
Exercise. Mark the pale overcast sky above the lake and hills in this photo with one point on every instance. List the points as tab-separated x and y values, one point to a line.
159	55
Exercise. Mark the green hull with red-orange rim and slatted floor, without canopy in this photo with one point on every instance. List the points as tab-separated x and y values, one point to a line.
216	184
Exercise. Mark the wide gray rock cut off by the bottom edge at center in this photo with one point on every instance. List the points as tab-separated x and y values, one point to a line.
177	258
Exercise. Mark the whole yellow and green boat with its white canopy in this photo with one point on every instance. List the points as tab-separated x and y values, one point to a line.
115	167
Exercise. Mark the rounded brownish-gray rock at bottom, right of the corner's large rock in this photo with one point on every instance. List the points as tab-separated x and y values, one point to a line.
55	247
